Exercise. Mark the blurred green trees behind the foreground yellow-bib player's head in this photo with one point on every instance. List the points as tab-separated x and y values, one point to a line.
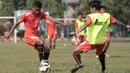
118	8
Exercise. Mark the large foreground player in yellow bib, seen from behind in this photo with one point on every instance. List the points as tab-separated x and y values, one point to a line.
96	24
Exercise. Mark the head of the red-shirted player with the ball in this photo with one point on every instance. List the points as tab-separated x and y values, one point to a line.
36	7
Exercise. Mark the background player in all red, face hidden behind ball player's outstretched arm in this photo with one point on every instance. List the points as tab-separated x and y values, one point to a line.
51	30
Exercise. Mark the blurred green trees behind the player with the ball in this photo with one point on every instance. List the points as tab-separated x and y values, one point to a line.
7	7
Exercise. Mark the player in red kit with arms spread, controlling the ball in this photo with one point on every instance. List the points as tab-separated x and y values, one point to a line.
31	20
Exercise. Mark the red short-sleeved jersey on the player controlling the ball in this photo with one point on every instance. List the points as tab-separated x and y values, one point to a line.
31	22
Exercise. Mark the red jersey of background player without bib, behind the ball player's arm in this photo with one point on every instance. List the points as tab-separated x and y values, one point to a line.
51	27
